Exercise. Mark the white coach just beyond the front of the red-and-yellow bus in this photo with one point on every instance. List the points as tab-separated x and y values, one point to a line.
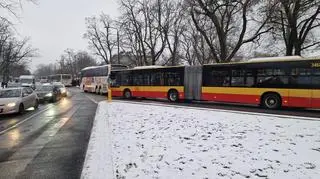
95	79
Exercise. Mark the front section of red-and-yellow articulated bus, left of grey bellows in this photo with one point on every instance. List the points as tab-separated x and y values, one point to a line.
149	82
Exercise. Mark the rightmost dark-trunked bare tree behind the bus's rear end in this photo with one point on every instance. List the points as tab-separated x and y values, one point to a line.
295	22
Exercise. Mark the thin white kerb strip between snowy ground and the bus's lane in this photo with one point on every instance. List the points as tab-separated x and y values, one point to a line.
224	110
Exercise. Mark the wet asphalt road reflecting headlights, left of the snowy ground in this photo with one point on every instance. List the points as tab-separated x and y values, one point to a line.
50	142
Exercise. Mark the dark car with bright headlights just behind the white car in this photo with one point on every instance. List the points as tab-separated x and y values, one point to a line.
48	93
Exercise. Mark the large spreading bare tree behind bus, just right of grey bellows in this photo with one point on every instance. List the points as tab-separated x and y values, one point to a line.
231	22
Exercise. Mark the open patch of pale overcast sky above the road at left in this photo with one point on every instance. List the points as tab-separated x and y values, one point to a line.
55	25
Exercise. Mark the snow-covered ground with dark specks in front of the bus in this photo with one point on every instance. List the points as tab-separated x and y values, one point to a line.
155	141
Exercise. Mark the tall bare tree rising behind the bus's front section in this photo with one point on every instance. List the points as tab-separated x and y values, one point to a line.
149	23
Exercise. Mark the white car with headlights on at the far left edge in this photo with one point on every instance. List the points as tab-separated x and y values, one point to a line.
17	100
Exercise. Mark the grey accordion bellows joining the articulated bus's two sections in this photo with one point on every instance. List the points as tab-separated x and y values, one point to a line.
192	82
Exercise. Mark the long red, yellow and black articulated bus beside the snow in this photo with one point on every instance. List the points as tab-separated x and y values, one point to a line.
269	82
